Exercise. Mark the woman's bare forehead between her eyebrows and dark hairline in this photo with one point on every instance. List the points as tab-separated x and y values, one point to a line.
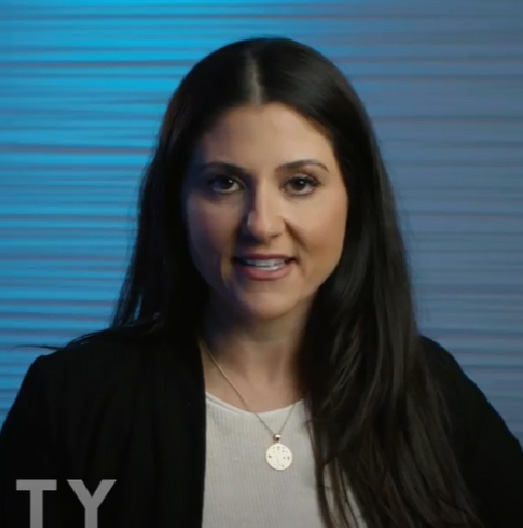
266	133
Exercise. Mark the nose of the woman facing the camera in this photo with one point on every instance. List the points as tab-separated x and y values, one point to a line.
263	216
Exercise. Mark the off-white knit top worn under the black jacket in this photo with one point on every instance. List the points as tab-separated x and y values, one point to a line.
241	489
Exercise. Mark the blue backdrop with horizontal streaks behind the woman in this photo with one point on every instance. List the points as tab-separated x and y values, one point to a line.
83	85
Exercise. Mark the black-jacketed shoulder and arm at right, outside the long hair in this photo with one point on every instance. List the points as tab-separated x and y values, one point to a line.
490	455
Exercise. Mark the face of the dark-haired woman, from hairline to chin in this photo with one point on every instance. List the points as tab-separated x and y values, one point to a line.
265	207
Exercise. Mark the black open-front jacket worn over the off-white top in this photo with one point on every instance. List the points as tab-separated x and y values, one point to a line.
117	409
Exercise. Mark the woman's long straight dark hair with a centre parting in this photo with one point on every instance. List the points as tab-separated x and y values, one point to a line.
379	424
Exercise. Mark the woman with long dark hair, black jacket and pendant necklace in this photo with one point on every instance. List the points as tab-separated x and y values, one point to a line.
263	367
